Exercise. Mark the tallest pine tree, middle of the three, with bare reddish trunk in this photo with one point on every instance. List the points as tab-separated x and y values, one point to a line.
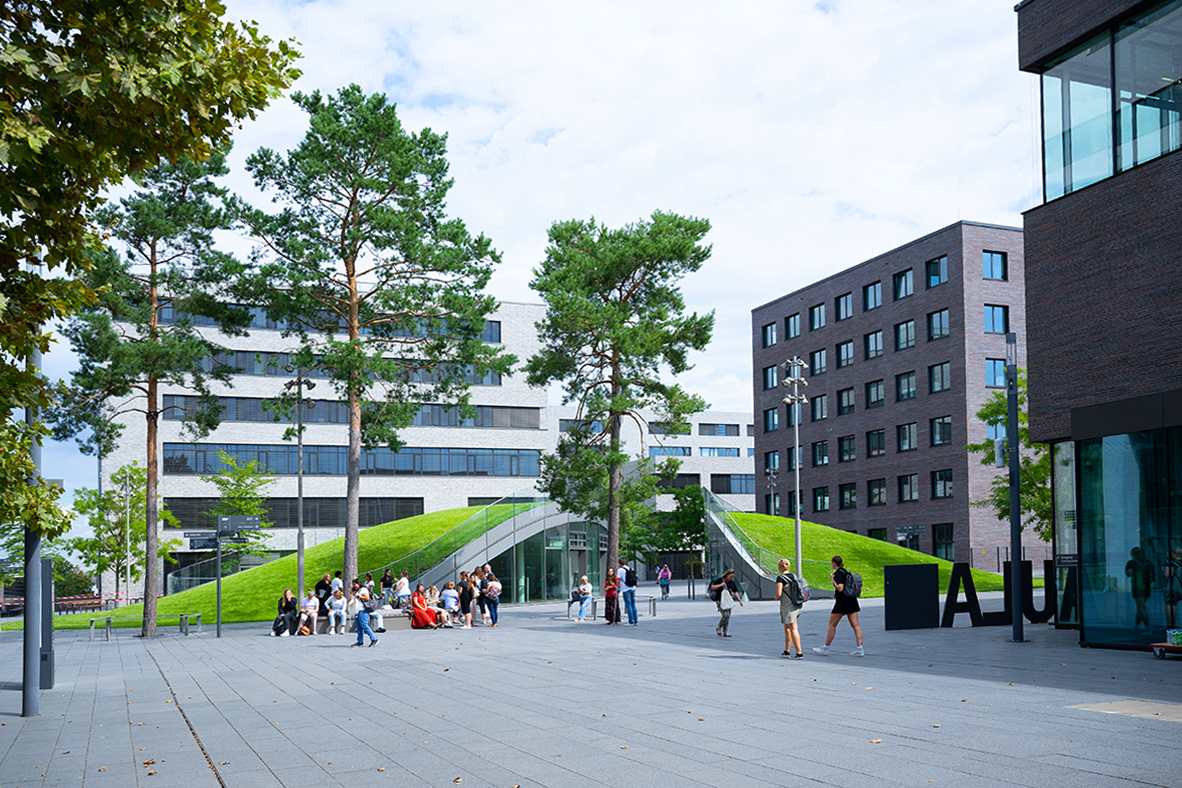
362	266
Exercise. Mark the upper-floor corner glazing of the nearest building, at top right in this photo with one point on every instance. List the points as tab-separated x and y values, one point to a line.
1114	103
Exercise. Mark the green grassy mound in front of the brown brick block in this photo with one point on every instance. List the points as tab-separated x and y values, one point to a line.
862	555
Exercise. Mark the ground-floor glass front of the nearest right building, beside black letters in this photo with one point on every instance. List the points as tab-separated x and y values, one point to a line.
1129	498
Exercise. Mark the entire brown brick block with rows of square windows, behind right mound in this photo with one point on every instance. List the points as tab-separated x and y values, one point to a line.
902	353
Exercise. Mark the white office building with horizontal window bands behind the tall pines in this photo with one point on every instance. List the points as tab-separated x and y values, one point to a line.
447	461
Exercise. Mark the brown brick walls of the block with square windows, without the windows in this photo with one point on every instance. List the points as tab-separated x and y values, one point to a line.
965	296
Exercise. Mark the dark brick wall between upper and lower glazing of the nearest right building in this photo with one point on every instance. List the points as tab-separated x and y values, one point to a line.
1105	295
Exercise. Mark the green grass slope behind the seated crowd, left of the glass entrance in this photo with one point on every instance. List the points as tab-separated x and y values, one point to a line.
252	596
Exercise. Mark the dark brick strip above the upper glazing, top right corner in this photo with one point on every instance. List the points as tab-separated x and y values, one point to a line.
1045	28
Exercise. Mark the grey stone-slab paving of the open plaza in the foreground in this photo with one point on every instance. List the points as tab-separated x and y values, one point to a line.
542	701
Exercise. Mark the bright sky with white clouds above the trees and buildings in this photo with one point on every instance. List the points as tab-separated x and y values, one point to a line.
811	135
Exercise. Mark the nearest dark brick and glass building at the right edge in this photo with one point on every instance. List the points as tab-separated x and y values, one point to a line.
1105	294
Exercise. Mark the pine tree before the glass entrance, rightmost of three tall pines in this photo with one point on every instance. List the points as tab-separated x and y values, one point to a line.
615	323
